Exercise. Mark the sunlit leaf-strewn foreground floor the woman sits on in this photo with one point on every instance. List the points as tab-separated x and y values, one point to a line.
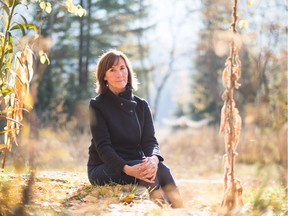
70	193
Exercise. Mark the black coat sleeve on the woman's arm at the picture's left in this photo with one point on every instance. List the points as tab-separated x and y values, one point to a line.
101	140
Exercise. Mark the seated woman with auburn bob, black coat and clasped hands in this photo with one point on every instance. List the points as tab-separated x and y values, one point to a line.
124	149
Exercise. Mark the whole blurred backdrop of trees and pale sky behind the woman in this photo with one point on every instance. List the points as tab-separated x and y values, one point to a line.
76	42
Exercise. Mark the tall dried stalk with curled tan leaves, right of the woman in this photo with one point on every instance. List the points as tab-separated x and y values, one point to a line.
231	124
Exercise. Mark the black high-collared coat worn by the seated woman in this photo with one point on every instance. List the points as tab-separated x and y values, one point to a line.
122	129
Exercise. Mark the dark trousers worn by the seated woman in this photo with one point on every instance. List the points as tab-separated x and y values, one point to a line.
103	174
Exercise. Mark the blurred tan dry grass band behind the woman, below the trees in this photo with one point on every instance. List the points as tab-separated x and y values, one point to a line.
190	153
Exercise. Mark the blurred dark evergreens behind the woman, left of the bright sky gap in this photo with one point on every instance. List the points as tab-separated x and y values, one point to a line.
77	43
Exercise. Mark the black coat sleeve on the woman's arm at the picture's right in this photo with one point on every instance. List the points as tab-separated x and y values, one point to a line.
149	142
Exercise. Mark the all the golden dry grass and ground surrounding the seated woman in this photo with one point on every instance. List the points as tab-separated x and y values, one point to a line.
194	156
